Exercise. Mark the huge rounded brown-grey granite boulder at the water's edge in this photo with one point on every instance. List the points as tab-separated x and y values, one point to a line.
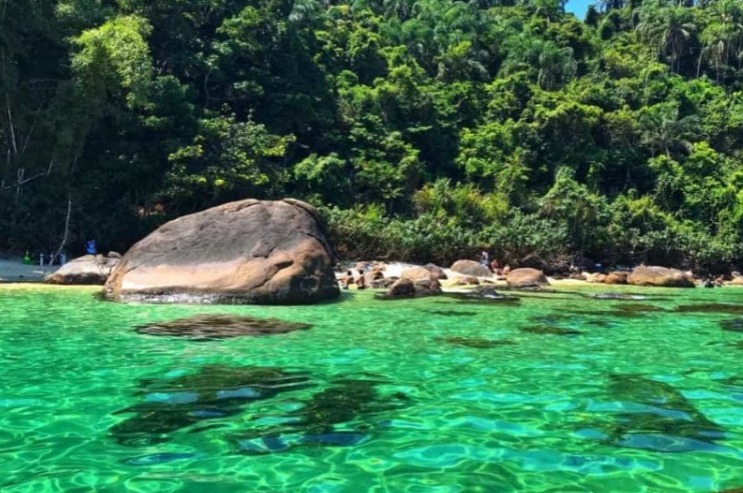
250	251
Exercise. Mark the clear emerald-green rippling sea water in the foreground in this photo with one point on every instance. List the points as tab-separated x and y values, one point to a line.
377	396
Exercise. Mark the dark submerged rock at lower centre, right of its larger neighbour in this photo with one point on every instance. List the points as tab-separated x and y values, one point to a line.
336	416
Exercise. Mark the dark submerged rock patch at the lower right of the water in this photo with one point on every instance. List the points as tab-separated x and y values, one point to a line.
655	416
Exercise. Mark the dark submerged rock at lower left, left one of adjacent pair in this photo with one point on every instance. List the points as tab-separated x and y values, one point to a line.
214	392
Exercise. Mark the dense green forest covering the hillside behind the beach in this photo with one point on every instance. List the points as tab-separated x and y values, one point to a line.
426	129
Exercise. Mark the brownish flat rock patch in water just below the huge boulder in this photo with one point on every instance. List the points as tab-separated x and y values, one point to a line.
212	327
